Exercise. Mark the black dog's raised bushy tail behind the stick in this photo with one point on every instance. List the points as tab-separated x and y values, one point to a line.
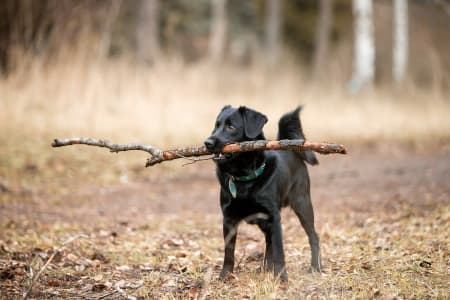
290	127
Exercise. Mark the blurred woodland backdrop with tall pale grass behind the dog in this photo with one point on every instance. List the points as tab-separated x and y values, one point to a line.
160	70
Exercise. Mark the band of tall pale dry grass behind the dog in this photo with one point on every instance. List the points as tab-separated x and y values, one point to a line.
175	104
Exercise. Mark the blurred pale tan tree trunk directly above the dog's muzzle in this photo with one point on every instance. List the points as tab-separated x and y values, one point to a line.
217	38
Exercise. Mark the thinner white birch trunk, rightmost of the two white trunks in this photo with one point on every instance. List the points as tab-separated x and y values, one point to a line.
400	40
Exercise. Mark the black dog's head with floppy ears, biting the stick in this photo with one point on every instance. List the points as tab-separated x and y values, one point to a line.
235	125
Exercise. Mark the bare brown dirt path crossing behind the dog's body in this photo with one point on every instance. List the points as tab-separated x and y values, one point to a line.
361	182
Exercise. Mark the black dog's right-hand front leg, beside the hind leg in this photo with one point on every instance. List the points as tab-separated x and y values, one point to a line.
277	249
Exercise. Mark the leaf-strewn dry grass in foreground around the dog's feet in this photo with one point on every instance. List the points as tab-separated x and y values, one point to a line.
403	256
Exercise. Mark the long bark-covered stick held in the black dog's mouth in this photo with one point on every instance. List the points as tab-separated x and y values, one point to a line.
158	155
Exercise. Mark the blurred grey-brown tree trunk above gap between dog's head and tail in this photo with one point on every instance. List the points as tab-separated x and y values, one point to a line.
274	21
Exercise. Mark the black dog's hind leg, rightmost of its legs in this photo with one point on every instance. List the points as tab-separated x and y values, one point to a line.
303	208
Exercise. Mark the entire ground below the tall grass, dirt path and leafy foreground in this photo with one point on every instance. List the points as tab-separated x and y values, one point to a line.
115	230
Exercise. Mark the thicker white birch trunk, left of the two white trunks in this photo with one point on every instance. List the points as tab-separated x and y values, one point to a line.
364	46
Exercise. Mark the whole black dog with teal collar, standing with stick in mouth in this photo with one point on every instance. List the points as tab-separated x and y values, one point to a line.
256	185
